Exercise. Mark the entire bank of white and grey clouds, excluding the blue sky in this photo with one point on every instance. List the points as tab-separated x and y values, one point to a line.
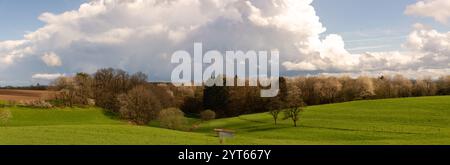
141	35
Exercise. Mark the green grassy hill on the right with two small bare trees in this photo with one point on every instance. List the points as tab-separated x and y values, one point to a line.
423	120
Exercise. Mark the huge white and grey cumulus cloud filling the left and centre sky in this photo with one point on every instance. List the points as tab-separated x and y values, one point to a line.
142	34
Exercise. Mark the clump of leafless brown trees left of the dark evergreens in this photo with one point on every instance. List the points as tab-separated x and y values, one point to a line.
130	97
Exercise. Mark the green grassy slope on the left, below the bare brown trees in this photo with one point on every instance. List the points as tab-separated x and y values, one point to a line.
86	126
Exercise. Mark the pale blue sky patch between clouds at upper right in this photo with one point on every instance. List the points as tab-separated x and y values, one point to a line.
370	25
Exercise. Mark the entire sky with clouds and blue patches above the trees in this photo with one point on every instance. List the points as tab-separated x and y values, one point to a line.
41	40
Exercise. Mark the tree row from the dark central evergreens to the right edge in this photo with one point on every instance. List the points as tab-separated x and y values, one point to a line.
234	101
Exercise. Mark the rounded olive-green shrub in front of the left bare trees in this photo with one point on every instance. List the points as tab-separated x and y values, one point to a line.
172	118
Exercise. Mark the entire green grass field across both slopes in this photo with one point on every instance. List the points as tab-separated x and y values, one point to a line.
408	121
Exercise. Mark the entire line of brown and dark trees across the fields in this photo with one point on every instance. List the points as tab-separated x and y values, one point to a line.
133	98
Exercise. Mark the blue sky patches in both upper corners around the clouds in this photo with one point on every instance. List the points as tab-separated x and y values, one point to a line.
365	25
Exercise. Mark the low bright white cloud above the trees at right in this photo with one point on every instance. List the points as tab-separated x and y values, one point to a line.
426	48
